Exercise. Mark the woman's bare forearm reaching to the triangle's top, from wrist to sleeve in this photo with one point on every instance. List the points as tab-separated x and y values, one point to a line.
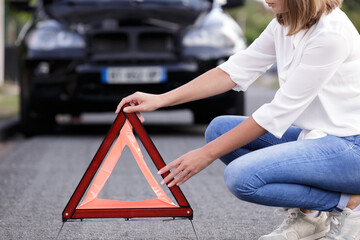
211	83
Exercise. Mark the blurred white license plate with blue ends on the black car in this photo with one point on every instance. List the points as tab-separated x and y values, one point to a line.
133	75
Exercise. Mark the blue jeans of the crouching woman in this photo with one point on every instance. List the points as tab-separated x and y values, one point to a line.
315	174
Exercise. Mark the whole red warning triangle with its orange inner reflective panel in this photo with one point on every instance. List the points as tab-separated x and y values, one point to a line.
84	203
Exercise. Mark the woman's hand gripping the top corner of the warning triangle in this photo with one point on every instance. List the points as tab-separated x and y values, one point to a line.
139	102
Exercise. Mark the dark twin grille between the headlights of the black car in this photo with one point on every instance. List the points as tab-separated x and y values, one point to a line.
133	44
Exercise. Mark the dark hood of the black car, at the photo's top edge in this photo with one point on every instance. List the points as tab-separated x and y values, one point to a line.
180	12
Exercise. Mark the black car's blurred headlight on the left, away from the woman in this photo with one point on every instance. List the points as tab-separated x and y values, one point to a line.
50	39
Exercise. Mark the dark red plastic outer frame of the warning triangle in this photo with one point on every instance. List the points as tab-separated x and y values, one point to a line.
183	210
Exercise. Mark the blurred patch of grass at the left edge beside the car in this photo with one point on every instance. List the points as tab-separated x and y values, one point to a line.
9	100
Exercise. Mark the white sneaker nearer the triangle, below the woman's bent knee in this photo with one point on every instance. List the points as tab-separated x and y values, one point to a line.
298	226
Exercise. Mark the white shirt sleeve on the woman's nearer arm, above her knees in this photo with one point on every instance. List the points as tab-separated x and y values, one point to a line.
320	60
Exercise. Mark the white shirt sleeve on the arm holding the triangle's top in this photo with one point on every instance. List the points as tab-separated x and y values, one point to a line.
245	66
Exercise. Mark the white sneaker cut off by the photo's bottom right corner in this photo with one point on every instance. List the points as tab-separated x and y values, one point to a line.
344	225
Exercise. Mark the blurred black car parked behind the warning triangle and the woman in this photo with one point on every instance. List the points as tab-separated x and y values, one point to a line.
79	56
